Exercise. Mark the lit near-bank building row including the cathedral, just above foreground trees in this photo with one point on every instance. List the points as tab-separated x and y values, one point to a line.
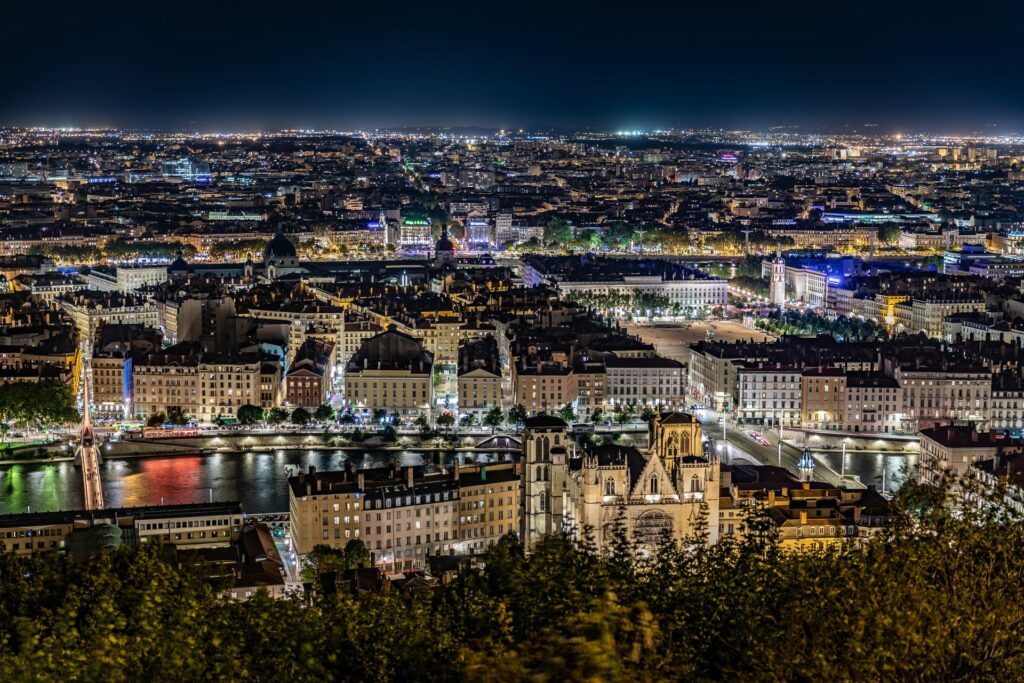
670	490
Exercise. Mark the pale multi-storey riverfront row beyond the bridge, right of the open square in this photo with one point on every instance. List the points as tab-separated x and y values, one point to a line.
890	388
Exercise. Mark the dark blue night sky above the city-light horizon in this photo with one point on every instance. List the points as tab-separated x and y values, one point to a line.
941	66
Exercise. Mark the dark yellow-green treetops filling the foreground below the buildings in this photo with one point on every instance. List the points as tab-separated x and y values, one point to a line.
938	597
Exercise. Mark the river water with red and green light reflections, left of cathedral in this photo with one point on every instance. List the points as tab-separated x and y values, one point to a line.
259	480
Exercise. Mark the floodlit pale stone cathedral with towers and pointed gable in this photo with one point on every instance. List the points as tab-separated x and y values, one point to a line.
664	490
